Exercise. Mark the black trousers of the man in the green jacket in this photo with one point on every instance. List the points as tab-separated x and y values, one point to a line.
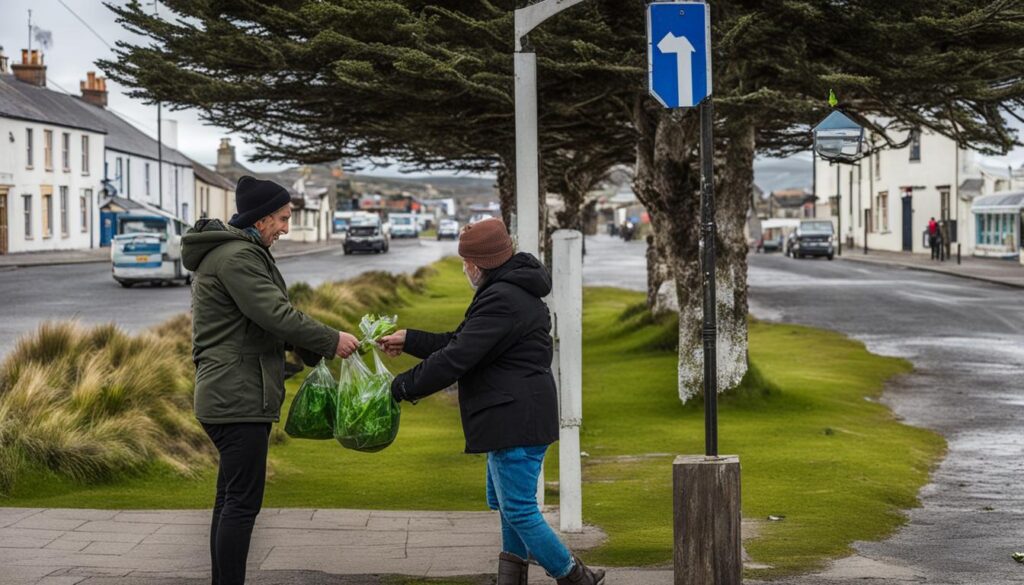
241	480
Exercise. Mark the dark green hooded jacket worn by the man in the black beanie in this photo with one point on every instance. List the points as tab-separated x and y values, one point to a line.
243	322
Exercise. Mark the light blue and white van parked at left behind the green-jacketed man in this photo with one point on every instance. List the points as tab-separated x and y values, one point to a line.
148	249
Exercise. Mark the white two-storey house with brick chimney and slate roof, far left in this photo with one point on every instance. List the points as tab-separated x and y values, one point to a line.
52	159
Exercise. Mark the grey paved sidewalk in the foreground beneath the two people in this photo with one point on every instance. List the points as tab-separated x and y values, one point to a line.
72	547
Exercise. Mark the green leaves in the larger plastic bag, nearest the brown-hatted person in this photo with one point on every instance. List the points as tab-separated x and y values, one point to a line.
367	417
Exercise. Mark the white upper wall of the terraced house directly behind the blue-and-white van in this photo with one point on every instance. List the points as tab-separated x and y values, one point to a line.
180	183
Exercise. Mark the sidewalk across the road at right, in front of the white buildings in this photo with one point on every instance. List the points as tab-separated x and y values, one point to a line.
1008	273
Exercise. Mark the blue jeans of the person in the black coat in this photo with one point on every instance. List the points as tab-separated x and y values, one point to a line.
513	476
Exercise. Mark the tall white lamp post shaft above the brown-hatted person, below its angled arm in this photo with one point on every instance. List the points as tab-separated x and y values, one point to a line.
527	159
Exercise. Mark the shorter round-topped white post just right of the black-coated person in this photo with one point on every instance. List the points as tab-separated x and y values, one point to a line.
568	294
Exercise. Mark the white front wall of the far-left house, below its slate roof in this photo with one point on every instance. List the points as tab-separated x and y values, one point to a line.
22	181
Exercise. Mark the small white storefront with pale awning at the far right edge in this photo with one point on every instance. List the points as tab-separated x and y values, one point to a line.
999	225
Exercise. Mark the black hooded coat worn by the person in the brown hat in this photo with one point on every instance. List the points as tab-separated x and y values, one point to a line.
500	356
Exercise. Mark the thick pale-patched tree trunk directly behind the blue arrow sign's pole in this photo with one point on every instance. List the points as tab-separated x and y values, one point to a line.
668	184
